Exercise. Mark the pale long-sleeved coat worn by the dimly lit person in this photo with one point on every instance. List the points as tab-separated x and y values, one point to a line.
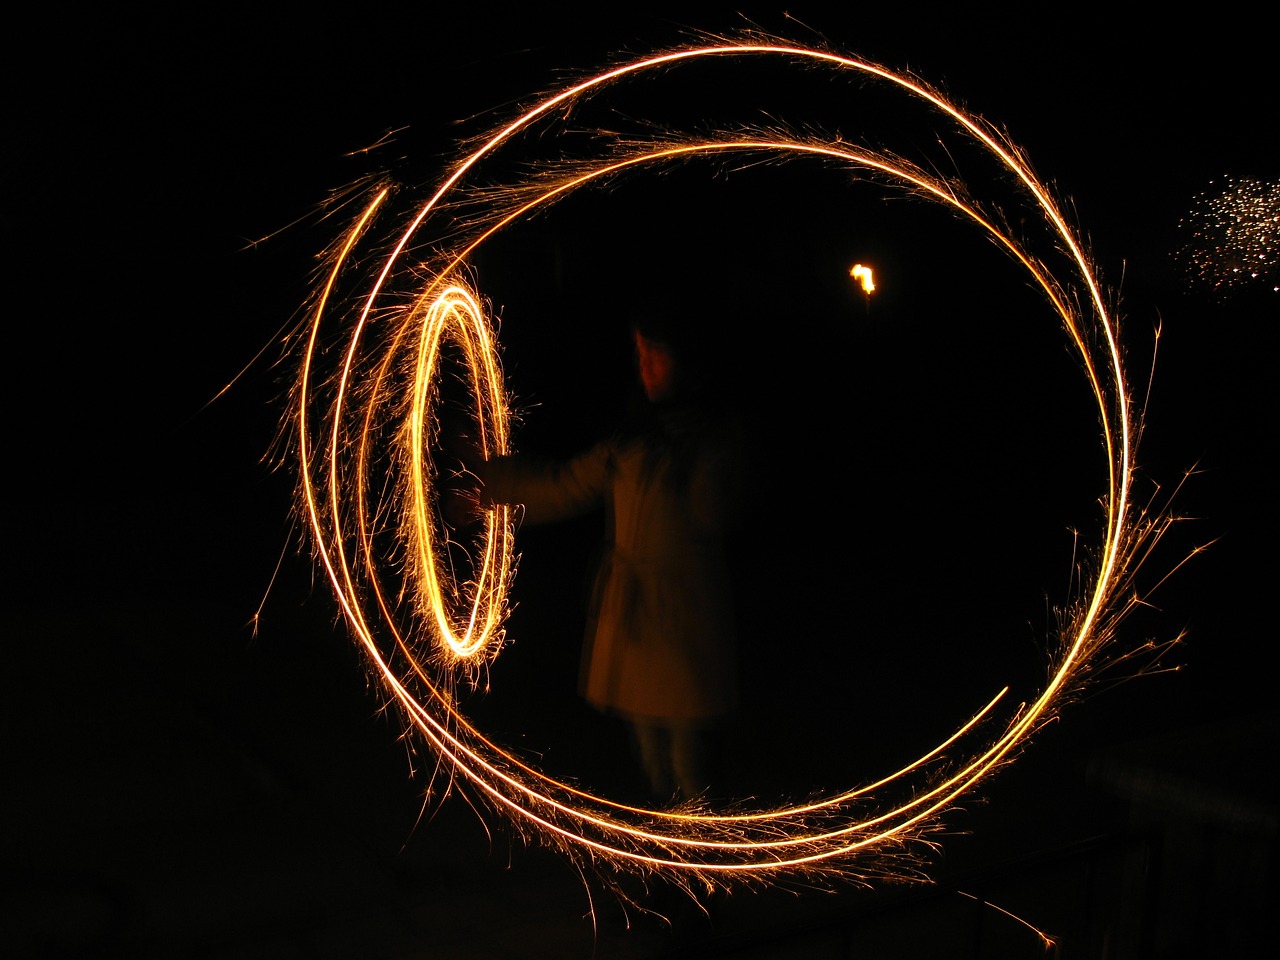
660	641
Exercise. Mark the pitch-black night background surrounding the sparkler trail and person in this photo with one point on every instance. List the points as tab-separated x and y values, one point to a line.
185	785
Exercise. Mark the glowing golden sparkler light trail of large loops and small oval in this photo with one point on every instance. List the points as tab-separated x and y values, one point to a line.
385	350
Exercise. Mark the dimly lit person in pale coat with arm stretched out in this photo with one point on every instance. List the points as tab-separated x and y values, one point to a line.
660	651
